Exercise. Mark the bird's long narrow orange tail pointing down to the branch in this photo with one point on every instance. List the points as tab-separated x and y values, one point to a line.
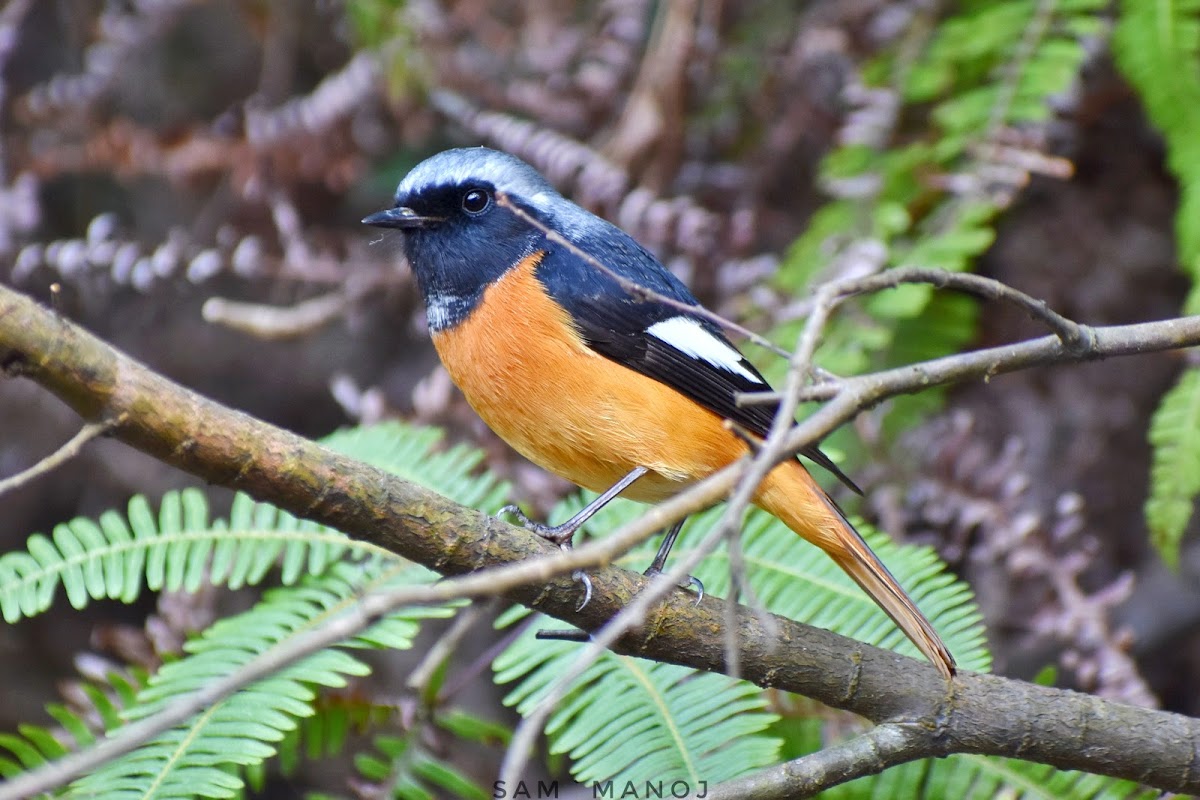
791	495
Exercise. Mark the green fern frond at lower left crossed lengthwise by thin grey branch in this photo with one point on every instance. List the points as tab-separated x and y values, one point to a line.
199	759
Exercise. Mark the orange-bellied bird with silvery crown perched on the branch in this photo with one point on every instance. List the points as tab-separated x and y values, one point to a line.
609	388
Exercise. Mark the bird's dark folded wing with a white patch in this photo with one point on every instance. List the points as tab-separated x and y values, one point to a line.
620	327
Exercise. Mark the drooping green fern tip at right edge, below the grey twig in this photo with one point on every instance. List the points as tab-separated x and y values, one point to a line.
1175	473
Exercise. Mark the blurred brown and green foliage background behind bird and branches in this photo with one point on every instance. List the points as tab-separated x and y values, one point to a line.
185	177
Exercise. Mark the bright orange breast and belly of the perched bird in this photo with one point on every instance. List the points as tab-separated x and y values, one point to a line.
529	375
